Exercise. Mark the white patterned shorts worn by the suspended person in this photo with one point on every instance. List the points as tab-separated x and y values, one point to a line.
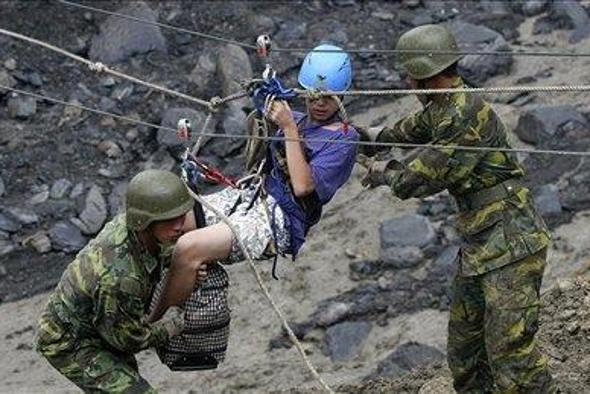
253	225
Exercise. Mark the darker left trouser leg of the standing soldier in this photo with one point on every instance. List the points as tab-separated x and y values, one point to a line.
466	352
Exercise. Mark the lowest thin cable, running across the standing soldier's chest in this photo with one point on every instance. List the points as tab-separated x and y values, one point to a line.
326	140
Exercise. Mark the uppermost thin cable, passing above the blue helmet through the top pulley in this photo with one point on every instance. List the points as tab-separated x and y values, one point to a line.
306	50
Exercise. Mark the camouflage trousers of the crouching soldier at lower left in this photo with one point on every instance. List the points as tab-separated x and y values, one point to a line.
90	366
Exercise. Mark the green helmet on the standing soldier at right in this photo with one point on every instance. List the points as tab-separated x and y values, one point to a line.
422	65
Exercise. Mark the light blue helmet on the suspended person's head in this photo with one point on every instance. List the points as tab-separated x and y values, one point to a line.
326	70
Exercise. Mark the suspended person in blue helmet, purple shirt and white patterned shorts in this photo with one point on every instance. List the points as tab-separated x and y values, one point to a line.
301	175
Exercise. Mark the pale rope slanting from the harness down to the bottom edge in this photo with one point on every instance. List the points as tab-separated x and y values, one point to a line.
264	289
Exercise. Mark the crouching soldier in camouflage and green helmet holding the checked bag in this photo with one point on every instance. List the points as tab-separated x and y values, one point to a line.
96	319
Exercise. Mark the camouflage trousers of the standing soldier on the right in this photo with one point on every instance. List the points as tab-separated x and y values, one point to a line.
492	326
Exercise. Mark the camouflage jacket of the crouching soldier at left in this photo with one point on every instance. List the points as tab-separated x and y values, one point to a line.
103	294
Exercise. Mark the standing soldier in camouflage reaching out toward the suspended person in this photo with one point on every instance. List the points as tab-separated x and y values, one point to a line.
495	309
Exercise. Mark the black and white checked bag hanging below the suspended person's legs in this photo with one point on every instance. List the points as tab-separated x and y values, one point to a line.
206	330
